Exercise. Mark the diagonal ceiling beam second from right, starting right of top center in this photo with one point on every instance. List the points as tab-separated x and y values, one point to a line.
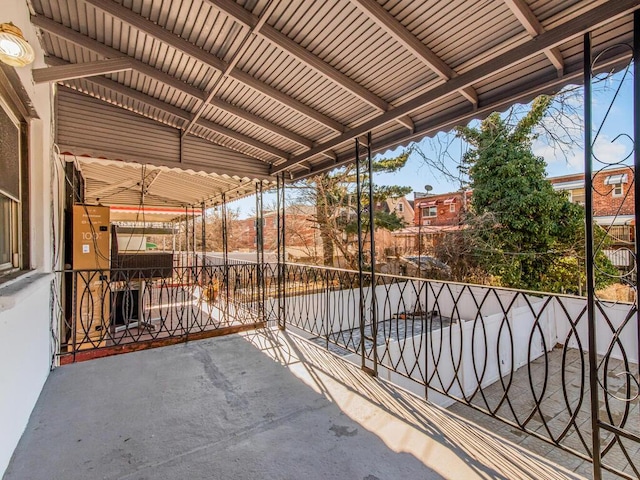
408	40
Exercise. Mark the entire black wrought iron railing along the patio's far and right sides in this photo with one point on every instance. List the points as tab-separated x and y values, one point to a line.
518	356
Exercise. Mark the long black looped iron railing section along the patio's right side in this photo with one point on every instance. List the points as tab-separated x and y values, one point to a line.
515	355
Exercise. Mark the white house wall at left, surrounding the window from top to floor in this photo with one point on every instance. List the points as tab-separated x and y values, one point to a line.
25	341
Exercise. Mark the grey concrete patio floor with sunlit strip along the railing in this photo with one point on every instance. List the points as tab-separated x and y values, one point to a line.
264	404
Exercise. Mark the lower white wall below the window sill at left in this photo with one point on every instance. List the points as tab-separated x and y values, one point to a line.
24	356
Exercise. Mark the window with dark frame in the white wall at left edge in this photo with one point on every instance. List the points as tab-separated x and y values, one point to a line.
10	191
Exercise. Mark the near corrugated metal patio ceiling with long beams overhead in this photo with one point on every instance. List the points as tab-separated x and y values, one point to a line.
260	87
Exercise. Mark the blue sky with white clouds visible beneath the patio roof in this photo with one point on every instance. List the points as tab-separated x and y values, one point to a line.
612	108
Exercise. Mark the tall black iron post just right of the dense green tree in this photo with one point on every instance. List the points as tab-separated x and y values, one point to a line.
589	255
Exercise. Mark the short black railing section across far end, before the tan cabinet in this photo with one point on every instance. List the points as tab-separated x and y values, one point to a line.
120	307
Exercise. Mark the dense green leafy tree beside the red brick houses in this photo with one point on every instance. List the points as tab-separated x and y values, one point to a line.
524	233
